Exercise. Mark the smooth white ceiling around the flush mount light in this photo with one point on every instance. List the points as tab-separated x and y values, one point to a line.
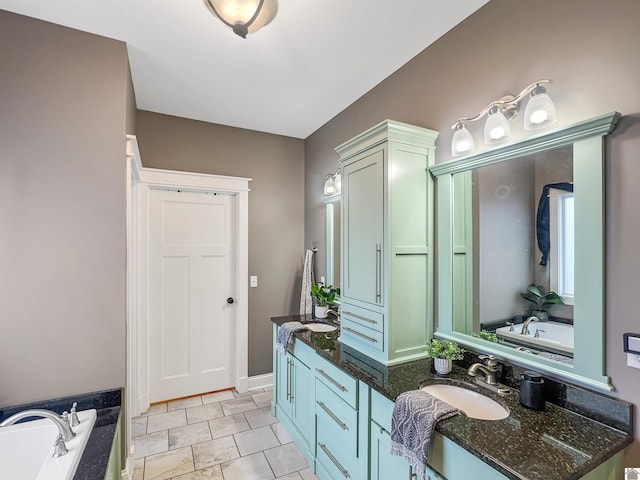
315	58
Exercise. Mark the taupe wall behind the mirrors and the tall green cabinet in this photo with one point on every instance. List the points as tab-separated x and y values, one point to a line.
589	48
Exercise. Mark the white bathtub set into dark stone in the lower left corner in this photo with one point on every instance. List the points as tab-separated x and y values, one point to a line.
26	449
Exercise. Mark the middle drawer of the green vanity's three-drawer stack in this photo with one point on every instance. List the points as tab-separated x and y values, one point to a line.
337	419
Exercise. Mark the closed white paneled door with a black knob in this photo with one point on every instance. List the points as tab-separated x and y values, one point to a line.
191	292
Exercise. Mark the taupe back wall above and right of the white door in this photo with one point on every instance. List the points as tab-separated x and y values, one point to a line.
276	212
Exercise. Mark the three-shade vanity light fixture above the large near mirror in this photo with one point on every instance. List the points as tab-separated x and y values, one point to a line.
539	113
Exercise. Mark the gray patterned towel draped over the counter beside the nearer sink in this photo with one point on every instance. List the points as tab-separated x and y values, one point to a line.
414	418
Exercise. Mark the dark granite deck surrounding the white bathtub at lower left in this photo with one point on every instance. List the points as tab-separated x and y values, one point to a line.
94	460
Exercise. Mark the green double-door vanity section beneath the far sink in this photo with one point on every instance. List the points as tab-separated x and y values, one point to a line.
294	395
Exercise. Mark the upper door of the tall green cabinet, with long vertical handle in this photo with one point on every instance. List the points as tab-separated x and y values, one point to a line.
363	228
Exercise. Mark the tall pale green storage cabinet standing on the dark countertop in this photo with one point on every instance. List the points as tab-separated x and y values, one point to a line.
387	241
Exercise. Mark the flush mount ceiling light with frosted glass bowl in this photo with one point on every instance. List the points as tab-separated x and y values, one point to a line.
243	16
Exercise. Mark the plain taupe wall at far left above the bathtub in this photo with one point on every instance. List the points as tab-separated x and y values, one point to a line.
62	211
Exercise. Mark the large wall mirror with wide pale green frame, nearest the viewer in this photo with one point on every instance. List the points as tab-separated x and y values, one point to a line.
527	220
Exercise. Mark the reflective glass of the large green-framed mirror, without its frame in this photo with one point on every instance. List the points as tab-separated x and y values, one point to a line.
515	229
